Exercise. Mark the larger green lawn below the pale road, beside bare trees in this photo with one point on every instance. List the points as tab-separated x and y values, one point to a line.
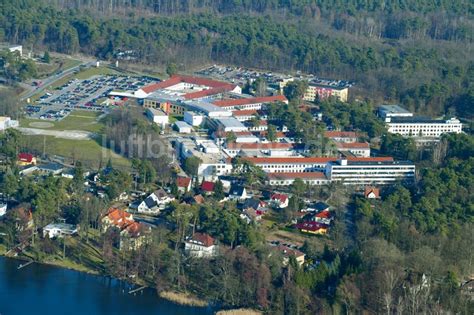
89	152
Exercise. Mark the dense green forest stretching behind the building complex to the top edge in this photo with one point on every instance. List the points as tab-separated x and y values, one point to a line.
406	59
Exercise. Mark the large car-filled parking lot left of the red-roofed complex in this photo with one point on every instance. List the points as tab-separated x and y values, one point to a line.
86	94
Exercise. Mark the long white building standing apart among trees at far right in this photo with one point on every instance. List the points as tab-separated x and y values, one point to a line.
423	128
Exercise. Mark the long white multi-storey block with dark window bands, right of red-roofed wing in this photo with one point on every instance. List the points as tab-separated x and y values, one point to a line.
370	171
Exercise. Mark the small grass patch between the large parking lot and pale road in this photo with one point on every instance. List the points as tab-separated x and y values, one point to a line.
77	120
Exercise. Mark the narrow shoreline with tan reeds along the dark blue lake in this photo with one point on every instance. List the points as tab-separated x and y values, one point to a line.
176	297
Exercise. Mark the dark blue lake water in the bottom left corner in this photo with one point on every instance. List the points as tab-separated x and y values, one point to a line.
41	289
